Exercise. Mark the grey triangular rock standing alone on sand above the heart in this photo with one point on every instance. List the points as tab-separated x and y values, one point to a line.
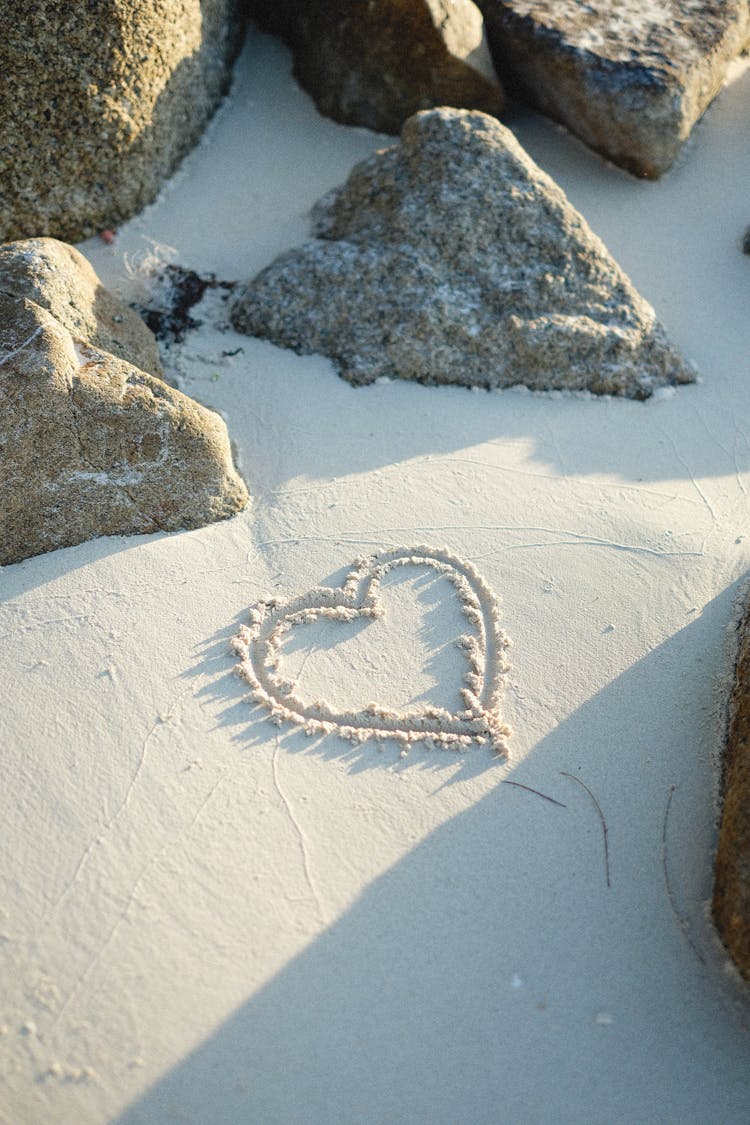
453	258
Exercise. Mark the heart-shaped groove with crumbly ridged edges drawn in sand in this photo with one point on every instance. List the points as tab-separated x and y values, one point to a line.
259	647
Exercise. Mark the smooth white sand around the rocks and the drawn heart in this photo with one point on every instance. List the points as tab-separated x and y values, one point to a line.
206	919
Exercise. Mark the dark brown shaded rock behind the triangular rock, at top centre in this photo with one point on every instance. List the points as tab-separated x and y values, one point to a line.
375	65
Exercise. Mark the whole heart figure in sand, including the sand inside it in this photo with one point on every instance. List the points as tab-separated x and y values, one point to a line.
471	710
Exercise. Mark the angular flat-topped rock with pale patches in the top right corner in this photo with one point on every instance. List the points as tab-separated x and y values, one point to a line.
630	79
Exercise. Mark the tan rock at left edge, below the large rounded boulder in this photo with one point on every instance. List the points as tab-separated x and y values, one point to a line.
92	445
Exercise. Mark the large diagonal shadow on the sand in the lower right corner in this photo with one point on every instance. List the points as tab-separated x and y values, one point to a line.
491	975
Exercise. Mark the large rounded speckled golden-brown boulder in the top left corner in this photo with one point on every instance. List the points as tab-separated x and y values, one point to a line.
101	102
